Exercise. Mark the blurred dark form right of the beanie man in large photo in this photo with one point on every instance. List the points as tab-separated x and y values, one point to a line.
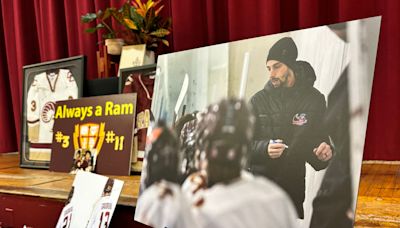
334	198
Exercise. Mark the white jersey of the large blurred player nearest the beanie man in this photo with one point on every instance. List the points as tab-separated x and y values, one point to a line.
248	202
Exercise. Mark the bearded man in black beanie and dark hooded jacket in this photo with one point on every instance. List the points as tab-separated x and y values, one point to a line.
288	132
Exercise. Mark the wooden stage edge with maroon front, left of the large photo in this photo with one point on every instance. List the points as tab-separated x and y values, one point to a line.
36	197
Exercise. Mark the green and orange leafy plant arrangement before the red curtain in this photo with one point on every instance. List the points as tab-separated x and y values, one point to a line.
141	23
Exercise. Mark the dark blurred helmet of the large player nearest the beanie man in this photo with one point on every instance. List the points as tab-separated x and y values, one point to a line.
225	131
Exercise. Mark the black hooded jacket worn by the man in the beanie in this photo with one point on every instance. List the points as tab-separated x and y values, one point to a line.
293	115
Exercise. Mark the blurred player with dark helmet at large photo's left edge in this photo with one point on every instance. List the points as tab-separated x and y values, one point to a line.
162	204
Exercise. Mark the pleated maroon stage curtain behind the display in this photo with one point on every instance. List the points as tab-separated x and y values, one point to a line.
40	30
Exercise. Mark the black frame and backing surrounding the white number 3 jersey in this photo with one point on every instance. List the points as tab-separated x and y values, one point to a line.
77	67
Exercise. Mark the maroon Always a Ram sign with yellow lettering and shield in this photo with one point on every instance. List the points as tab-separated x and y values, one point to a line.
94	134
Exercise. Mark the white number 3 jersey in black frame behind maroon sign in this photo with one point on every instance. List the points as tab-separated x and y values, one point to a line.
44	84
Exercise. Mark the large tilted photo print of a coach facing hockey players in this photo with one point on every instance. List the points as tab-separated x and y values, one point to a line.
263	132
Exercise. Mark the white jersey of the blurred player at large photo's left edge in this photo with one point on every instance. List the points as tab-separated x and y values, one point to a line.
163	205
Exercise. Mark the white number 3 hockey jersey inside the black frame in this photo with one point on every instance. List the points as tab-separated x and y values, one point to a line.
44	91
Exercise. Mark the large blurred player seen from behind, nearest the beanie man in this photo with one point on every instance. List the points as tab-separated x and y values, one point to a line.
234	198
